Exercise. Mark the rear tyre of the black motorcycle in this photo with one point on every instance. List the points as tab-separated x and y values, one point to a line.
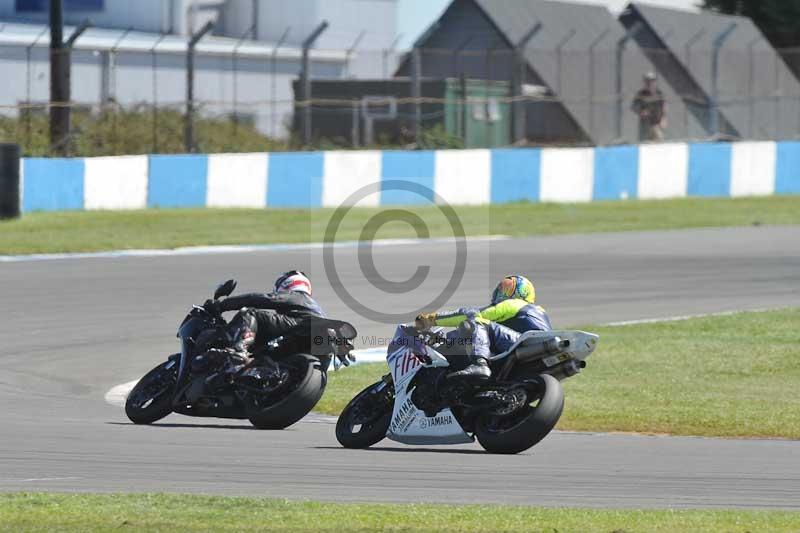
281	408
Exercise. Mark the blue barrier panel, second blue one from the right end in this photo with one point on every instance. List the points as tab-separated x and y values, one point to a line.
709	169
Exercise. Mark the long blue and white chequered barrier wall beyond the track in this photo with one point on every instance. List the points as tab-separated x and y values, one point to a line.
460	177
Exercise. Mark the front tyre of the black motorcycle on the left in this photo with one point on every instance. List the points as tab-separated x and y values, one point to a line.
151	399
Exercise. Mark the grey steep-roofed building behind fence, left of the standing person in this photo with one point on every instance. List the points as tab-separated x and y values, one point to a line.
571	56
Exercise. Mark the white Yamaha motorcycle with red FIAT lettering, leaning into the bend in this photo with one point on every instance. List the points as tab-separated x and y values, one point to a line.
416	403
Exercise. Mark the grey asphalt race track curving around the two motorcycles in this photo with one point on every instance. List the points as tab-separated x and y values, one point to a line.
72	329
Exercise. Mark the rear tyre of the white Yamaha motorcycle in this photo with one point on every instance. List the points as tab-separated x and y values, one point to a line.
525	428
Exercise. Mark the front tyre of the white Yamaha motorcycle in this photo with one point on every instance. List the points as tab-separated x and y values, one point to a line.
366	418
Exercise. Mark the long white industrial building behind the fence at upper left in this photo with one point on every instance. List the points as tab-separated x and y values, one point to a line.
135	52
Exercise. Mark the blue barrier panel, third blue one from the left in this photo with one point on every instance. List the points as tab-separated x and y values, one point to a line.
295	179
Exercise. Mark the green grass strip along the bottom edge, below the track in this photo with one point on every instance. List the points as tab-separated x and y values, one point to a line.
169	513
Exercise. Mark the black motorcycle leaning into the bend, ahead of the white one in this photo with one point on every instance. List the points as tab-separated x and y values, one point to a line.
278	386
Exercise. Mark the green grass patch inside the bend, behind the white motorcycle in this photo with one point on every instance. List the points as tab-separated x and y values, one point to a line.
728	376
